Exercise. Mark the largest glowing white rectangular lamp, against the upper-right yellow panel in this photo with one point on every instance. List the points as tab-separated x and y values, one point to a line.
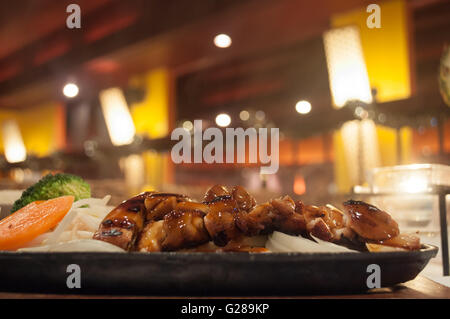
346	66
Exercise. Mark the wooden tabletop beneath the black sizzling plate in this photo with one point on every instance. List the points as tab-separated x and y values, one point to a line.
419	288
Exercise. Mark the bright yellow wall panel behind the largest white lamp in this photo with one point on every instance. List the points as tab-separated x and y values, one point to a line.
387	49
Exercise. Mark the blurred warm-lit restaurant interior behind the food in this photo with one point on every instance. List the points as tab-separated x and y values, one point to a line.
101	101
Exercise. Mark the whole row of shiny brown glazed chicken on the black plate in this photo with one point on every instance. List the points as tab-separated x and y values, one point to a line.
168	222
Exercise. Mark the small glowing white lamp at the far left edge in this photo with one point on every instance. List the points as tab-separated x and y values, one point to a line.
15	150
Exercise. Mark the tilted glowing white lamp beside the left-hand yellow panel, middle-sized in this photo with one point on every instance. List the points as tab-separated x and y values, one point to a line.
117	116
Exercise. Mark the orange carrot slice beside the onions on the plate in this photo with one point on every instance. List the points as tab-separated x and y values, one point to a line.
31	221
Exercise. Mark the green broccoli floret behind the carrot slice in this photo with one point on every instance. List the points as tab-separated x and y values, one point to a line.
52	186
